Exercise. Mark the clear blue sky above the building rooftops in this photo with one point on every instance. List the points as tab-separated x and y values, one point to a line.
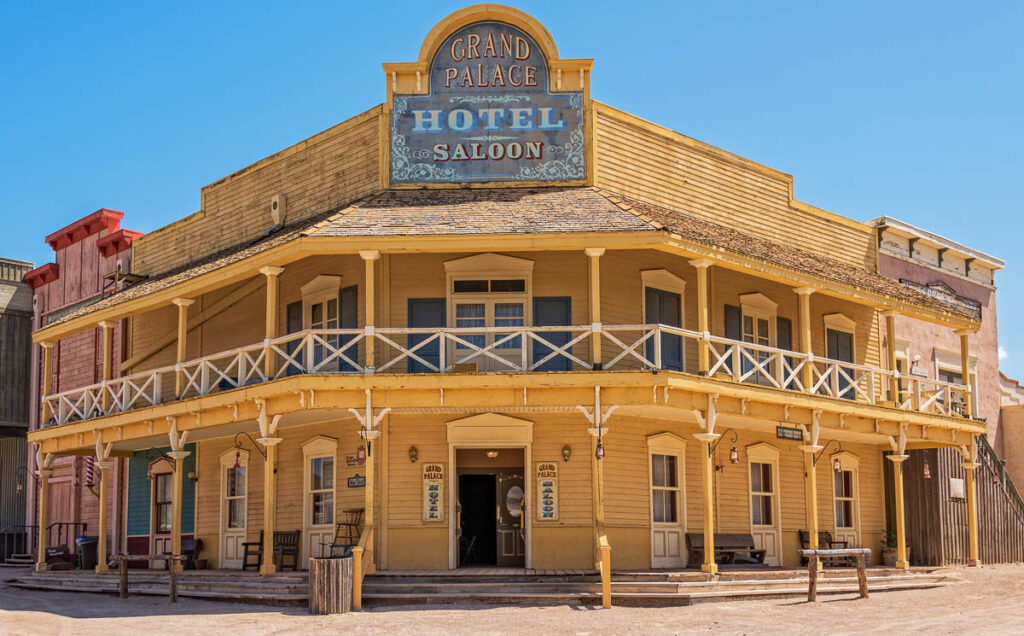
913	110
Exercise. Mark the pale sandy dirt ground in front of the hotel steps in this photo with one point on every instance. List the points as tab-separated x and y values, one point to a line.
989	600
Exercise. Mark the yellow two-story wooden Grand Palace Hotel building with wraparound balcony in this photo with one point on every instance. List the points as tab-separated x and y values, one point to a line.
509	325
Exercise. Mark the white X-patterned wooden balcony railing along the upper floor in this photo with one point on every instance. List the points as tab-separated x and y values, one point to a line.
504	350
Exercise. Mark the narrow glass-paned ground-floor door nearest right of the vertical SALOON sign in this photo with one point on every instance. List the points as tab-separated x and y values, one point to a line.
666	512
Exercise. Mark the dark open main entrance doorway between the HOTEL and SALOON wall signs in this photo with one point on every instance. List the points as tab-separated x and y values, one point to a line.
491	508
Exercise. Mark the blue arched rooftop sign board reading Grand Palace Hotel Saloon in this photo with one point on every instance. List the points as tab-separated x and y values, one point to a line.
488	115
